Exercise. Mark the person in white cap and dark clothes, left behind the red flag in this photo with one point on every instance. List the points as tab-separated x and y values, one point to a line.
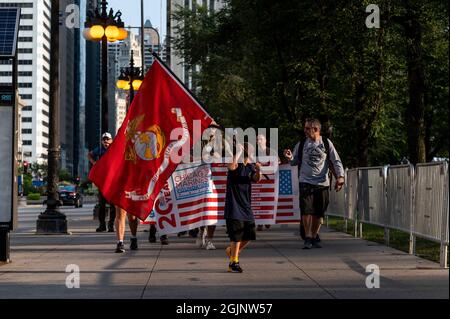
93	157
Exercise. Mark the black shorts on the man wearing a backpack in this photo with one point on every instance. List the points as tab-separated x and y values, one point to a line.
314	199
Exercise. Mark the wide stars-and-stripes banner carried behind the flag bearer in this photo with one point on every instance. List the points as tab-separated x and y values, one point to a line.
194	196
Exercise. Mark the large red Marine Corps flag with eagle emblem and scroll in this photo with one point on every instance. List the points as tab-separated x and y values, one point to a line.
138	163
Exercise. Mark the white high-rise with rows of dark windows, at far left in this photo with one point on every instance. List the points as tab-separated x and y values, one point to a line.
34	75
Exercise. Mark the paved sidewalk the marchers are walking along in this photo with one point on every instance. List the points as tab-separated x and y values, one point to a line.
275	266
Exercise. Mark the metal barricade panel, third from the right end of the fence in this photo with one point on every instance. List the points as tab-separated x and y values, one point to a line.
371	195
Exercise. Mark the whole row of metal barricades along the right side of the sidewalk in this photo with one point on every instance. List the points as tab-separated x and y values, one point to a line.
413	200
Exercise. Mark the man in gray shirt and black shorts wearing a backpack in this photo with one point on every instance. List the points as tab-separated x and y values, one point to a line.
315	157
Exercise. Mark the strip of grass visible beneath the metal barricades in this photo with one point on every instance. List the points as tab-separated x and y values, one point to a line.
398	239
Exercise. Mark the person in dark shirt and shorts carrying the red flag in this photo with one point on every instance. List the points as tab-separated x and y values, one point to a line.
238	214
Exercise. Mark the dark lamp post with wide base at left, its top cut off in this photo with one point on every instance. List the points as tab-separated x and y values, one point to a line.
52	221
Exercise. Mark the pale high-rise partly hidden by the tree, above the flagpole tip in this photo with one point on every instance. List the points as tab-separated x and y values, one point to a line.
174	60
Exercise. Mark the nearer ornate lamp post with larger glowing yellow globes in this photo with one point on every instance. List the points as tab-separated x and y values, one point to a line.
105	27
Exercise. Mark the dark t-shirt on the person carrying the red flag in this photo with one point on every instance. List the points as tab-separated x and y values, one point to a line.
239	192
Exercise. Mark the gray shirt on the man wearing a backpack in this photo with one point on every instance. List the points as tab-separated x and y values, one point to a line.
314	169
